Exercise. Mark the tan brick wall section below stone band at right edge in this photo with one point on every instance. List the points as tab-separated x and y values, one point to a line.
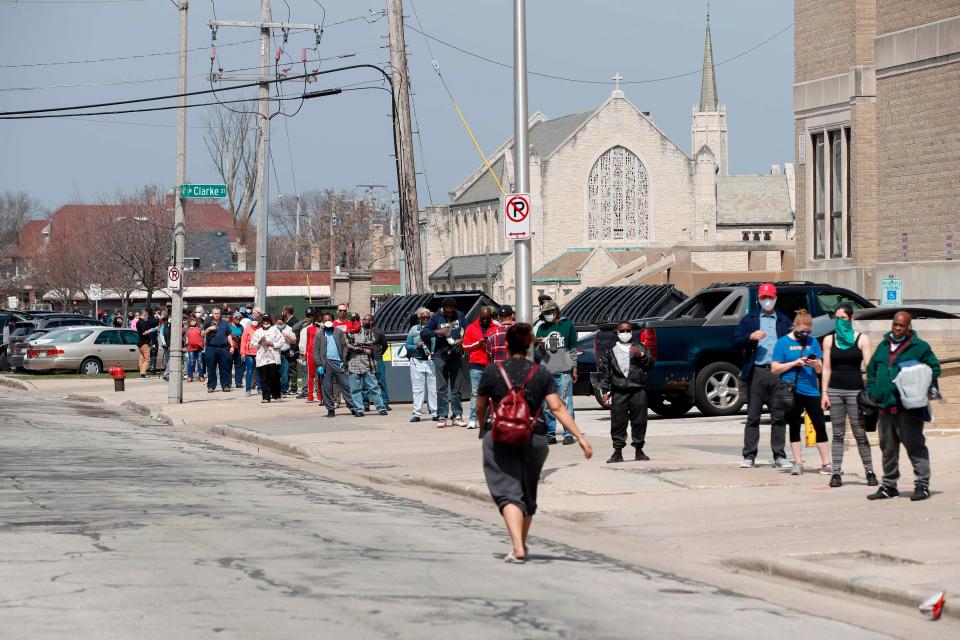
919	156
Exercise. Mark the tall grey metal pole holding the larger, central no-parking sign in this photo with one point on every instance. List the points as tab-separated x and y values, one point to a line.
521	158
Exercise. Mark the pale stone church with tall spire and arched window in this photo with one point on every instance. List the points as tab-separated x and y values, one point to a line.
607	189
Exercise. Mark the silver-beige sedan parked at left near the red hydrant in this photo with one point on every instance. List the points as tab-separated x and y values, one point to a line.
88	349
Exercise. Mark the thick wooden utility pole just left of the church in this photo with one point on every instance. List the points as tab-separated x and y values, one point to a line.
403	130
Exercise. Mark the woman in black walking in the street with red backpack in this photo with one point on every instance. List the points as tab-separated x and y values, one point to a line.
512	472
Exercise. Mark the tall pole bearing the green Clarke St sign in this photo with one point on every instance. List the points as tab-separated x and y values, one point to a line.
175	382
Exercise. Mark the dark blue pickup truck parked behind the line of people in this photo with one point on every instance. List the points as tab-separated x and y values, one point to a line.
693	344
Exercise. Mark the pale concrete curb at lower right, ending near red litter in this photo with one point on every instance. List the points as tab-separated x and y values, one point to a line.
810	574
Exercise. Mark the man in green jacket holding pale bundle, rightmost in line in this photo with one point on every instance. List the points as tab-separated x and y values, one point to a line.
898	425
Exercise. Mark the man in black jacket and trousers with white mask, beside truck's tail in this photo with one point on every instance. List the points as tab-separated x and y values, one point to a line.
623	370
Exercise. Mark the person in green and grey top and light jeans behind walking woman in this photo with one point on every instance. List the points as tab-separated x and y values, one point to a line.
556	350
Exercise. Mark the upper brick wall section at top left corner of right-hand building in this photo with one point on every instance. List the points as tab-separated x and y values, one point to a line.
822	43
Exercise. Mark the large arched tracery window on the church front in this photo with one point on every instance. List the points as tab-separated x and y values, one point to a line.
617	198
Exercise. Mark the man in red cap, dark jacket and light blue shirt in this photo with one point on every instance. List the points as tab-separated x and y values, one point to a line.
755	338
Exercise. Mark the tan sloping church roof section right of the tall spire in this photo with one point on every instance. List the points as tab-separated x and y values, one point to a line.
753	200
